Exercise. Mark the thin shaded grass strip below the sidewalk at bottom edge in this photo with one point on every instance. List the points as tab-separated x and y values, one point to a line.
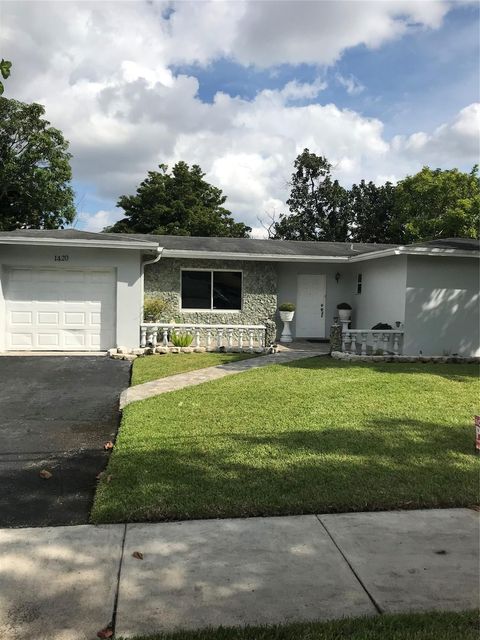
413	626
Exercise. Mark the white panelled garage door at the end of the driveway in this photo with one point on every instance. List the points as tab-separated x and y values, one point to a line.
60	310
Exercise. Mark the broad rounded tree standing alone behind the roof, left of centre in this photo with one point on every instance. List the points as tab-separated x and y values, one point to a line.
178	203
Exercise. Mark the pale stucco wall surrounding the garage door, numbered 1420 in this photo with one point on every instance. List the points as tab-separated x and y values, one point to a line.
127	264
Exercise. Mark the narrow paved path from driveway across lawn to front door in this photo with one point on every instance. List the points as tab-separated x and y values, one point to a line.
192	378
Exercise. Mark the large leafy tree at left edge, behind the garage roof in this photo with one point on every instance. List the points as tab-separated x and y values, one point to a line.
35	170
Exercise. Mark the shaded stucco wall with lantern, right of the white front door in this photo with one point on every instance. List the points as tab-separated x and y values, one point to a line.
383	292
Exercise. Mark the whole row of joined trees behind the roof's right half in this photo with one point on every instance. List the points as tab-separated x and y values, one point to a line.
431	204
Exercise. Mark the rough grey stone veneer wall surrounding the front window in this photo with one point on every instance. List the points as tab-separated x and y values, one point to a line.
259	302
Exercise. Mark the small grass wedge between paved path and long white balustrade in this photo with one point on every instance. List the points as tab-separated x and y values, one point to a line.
161	366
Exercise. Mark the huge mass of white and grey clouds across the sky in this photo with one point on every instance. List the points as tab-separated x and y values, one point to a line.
104	72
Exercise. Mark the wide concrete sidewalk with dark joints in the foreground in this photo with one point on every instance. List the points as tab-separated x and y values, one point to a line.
66	583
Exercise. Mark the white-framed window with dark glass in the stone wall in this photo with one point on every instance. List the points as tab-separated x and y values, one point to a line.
211	290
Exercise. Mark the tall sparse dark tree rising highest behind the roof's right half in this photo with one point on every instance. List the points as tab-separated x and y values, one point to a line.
318	204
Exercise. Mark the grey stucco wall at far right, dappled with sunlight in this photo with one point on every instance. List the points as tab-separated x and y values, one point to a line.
442	306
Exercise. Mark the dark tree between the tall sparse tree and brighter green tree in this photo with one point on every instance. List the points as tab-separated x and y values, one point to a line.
372	213
